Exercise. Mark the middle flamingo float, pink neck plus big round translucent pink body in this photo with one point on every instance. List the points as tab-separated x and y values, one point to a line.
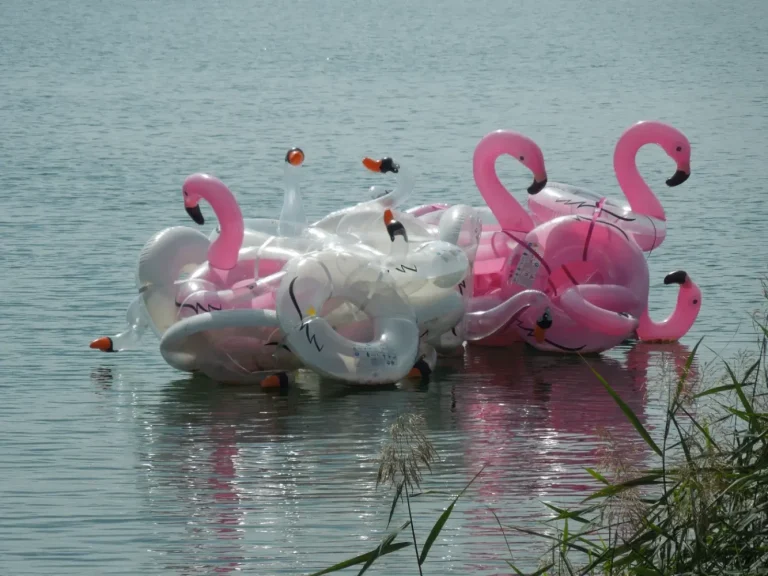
596	277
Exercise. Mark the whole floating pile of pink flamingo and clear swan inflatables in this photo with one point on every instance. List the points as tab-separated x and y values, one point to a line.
375	293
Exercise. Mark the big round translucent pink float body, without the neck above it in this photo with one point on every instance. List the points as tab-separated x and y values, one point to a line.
596	278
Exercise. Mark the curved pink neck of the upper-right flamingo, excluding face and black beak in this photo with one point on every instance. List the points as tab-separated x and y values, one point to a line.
640	196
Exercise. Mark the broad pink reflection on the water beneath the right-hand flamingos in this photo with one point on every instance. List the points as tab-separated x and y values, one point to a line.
538	421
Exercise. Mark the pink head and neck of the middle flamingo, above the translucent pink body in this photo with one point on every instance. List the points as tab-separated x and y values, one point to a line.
507	210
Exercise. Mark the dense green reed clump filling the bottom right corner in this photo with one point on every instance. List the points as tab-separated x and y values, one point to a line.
704	510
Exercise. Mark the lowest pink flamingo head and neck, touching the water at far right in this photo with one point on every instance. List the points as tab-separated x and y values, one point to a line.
677	324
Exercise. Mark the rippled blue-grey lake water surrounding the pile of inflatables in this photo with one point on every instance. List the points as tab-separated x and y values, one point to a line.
116	464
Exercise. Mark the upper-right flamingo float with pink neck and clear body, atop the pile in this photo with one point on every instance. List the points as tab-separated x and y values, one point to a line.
644	218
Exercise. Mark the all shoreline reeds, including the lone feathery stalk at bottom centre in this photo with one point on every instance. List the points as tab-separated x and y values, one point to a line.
702	510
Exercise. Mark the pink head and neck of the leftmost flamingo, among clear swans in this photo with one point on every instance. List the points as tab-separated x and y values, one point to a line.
223	252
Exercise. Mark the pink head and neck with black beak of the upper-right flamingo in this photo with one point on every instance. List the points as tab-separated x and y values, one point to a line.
639	195
